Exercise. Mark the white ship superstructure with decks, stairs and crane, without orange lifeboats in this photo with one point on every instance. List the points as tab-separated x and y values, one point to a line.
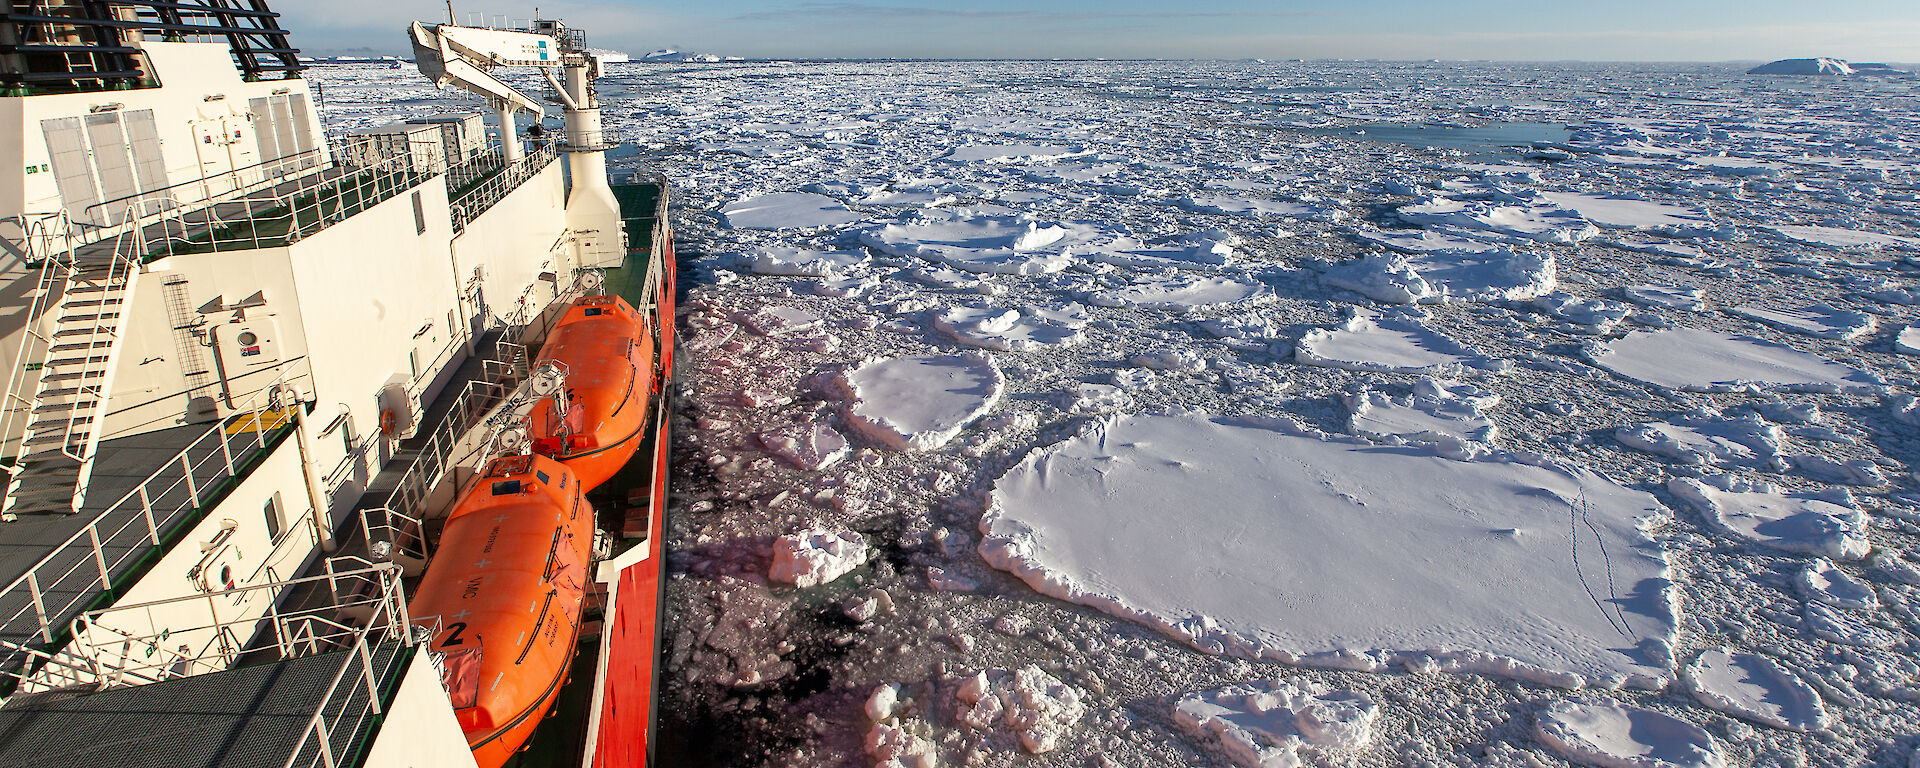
222	325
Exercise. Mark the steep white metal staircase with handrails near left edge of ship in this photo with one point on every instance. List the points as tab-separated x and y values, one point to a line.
66	362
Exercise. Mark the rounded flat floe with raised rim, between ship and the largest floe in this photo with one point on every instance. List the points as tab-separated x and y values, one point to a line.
919	404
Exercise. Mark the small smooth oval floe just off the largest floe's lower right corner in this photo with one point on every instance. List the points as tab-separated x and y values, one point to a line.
1756	688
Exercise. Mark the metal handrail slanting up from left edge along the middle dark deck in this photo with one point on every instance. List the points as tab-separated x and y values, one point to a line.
91	537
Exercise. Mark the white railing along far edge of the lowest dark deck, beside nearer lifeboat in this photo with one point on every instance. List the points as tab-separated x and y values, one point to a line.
210	633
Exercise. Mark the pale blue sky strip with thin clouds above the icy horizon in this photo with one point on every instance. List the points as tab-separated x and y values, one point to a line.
1272	30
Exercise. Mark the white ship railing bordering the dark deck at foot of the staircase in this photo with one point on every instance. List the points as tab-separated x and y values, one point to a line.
84	567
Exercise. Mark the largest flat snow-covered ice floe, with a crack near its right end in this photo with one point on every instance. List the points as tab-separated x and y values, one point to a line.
1260	540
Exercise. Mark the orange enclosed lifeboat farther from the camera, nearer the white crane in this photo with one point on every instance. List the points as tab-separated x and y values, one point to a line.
608	350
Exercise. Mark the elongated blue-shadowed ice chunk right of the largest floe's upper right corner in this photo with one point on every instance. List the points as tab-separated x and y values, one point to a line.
1798	523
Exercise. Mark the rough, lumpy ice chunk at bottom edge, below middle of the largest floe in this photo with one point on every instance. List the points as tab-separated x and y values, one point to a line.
1270	725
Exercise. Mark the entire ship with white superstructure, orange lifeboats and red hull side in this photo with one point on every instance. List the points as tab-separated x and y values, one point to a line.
324	448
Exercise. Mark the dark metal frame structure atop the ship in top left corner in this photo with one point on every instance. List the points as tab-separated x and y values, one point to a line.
85	45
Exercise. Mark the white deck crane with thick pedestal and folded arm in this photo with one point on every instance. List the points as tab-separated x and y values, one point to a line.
466	59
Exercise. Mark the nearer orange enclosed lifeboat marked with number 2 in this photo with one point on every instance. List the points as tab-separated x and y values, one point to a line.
508	587
